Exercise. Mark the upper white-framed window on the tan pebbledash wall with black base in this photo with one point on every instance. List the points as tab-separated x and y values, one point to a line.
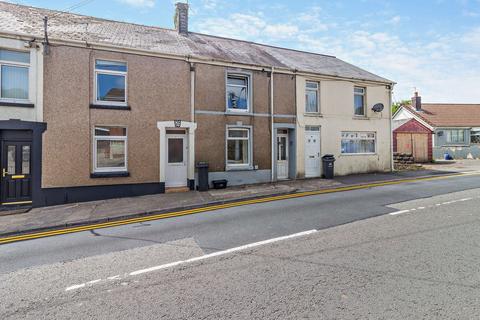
110	82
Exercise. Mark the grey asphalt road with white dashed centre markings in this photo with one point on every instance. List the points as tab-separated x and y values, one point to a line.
420	263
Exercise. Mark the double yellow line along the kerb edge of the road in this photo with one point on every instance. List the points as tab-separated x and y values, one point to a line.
213	208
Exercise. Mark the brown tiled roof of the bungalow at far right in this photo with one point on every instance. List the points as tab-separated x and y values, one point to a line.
449	115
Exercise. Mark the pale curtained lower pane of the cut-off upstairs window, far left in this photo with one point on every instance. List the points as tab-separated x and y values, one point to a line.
14	82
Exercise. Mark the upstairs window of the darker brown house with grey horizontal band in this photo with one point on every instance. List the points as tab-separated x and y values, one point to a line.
238	92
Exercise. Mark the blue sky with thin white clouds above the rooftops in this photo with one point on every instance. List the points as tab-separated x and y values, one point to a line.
432	46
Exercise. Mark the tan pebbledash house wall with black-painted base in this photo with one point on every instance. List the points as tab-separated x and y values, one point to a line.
68	93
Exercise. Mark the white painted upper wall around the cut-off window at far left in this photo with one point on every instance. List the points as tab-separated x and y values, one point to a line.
35	85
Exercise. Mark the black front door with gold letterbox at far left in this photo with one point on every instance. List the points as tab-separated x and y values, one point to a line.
16	178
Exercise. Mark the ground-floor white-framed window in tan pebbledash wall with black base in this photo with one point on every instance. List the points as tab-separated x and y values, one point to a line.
110	149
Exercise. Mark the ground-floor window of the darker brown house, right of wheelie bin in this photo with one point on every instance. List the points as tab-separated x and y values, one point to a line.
239	148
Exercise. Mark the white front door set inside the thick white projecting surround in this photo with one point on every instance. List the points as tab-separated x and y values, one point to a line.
177	160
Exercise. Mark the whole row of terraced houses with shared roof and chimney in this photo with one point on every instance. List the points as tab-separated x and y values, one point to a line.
95	109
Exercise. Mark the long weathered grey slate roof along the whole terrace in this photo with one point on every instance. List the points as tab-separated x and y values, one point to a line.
66	26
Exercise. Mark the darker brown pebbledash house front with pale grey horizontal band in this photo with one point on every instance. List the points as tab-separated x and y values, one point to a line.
213	118
